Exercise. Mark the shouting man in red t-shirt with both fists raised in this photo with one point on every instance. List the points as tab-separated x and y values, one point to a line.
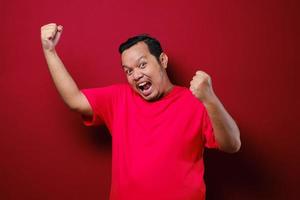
158	130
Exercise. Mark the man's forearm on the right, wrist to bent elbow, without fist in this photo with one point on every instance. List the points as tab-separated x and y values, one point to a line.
226	131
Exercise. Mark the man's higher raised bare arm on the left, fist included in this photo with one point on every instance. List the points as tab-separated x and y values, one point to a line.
64	83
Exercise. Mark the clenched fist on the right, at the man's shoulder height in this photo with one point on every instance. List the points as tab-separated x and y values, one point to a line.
201	86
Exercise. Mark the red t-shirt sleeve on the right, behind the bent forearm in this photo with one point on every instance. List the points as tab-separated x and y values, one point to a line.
208	132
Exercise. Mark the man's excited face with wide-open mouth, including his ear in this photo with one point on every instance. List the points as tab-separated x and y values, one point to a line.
144	72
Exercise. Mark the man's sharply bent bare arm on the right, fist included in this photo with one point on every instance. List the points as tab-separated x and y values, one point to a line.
226	131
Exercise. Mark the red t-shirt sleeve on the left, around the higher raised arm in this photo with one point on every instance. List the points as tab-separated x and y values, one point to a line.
102	101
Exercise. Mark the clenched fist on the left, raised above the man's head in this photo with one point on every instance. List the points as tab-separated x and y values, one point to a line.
50	34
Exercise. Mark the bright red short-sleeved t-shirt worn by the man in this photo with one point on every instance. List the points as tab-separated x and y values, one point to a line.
157	147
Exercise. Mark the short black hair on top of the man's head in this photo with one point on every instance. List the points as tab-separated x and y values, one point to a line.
152	43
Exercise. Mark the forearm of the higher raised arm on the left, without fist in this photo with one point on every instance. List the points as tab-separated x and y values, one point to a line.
63	81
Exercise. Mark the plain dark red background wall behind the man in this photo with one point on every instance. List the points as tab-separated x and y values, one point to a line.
248	47
